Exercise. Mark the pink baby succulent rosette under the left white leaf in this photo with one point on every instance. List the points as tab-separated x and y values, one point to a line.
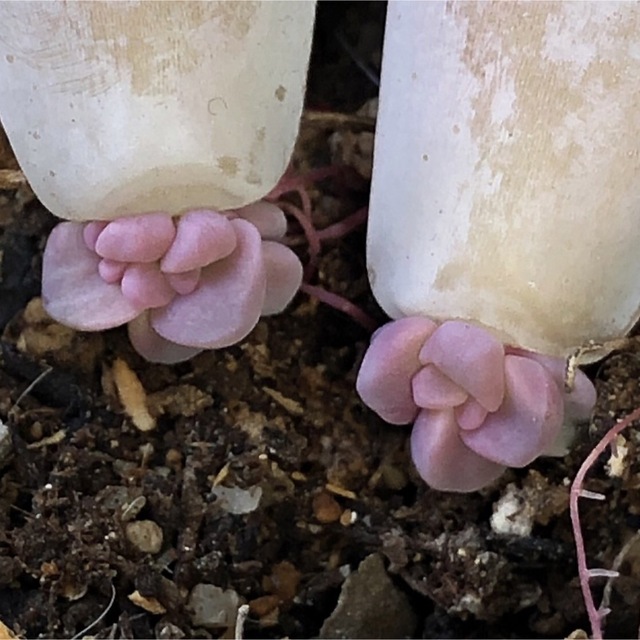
199	281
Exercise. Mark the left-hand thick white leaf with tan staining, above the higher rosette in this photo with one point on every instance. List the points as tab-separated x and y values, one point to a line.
118	108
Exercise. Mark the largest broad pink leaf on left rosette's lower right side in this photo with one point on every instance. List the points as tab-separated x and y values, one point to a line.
227	303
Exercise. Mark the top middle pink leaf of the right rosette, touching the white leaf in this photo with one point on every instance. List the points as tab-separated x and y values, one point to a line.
471	357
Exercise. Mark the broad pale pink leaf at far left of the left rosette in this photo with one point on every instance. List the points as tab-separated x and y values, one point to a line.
73	292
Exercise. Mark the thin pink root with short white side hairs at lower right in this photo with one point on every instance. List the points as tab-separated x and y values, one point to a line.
595	616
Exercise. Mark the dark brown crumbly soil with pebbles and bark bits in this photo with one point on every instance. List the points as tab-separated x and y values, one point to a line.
265	480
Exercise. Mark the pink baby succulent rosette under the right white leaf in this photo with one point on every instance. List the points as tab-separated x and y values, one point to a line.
477	406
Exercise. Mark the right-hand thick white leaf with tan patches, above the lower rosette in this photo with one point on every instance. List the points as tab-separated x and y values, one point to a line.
506	184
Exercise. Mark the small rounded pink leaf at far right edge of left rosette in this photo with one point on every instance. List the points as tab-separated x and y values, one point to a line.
284	276
